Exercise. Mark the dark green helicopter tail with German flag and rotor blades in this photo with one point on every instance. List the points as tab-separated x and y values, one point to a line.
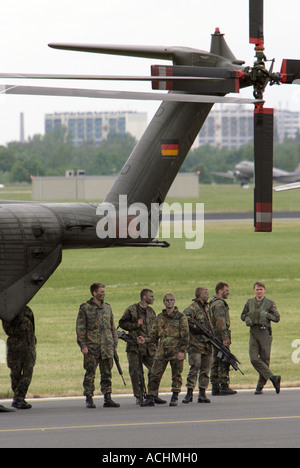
33	235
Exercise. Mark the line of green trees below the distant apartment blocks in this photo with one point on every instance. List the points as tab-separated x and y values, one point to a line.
53	154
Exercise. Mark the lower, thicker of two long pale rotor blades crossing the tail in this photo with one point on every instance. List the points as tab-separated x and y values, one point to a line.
132	95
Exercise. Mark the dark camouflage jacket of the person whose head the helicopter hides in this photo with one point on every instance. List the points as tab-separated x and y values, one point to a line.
21	330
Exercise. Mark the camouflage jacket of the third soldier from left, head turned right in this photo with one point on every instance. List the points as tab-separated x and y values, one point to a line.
129	323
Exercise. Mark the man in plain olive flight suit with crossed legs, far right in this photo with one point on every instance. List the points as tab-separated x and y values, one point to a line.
258	314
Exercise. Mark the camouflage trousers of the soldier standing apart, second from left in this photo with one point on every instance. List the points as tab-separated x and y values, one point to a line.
90	364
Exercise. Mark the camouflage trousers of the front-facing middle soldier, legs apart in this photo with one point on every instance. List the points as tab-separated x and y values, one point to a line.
157	371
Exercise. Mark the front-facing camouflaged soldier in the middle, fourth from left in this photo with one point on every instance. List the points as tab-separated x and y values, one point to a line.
171	332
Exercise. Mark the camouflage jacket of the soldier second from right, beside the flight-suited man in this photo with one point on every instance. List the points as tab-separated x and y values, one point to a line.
219	315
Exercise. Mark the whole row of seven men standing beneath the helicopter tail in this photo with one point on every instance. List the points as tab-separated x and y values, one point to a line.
154	342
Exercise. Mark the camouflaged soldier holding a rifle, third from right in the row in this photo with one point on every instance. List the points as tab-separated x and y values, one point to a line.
200	349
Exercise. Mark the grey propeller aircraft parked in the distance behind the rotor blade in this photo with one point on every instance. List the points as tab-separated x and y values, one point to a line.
244	172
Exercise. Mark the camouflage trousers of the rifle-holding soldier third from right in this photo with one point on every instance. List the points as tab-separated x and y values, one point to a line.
199	365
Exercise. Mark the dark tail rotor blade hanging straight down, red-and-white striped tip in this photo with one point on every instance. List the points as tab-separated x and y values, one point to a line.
263	162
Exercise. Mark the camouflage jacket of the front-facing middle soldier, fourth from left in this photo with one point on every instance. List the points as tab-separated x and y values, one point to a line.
171	333
